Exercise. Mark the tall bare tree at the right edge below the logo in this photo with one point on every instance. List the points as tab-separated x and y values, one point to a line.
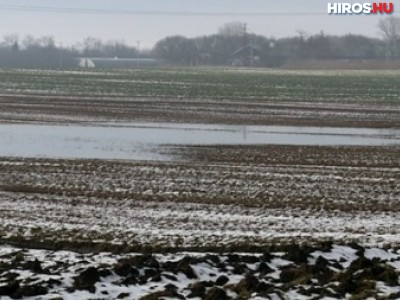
390	30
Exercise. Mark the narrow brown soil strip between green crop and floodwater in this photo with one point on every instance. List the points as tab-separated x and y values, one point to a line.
61	109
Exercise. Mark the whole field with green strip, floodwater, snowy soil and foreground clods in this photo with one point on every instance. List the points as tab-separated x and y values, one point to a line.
99	169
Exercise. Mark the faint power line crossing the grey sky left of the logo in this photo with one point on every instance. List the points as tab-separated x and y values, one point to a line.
72	10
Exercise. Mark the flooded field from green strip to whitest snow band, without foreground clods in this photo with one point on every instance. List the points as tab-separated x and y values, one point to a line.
316	145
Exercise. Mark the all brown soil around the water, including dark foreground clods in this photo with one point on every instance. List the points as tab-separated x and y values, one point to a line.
266	200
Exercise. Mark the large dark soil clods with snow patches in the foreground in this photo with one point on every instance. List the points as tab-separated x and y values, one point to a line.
332	272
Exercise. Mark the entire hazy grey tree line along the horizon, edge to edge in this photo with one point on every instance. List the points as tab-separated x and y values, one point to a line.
231	45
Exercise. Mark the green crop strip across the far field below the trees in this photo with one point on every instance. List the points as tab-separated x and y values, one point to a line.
380	86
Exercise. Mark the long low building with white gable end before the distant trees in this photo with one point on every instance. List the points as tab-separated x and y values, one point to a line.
106	62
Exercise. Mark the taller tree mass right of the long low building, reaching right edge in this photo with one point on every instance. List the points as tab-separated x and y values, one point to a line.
233	45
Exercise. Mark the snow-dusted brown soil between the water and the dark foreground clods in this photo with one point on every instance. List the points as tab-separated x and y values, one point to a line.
292	194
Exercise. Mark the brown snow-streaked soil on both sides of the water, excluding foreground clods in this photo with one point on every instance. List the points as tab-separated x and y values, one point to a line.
207	196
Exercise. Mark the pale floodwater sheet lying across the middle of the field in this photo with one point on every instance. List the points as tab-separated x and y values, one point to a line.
141	141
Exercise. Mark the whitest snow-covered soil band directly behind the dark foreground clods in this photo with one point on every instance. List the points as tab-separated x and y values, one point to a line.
48	219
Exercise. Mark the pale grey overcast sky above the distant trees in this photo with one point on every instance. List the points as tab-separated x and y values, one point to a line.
151	20
